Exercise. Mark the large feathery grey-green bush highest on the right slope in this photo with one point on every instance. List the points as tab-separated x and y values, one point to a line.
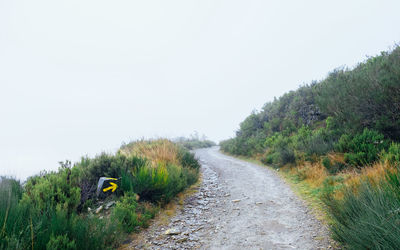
366	96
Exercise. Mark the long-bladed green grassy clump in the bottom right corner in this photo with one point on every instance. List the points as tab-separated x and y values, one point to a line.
368	219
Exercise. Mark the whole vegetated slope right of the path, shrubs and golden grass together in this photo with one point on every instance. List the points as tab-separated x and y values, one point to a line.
338	137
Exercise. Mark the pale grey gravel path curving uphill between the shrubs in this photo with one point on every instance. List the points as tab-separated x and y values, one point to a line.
239	205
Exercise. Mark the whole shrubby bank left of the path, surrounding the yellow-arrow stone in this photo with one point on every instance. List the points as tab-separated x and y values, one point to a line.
60	210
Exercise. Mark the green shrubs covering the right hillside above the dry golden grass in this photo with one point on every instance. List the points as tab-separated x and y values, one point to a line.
347	100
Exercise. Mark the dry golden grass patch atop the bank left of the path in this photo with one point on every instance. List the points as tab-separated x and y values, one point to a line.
160	151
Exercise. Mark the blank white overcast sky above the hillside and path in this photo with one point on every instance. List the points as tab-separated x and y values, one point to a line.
80	77
